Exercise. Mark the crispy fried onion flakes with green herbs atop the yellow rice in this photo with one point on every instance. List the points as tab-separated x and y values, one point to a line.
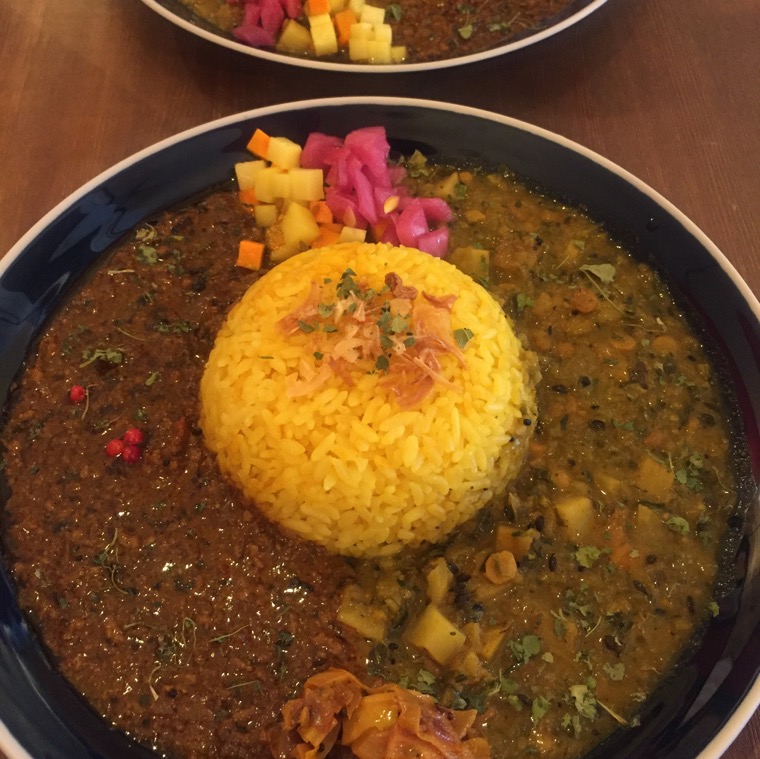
392	329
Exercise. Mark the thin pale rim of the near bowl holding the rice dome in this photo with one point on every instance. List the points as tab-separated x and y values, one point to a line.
751	700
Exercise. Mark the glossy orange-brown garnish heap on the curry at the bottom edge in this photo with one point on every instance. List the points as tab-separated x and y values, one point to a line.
337	715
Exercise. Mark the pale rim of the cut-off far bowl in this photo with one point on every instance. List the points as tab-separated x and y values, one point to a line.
368	68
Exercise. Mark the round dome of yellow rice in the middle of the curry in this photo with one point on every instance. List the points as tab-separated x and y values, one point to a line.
346	465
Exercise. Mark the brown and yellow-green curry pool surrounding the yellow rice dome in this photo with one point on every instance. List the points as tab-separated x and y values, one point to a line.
552	614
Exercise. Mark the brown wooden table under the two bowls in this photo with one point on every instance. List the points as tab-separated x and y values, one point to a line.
670	90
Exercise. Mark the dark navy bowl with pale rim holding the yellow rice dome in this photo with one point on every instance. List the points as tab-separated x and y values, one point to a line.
715	692
